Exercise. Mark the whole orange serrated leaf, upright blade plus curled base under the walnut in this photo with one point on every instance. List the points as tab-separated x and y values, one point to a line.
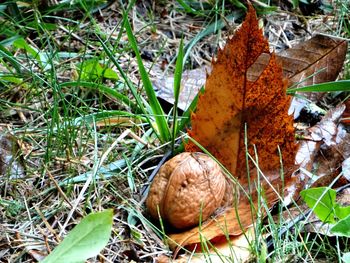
231	102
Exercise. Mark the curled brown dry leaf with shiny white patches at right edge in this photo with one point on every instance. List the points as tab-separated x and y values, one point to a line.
323	150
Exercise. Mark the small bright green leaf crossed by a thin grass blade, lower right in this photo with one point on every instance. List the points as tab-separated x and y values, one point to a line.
322	201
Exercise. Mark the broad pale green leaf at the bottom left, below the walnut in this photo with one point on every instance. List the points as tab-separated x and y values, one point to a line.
86	239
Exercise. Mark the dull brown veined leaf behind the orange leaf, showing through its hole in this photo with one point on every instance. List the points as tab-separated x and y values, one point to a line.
321	57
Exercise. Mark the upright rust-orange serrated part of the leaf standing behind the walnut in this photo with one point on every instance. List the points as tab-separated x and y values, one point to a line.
231	102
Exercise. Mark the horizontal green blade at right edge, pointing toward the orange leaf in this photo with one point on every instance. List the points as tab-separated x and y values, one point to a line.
341	85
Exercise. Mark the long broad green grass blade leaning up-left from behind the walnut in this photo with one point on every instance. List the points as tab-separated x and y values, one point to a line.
157	111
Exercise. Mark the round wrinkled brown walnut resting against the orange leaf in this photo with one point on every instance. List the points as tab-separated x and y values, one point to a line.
187	187
